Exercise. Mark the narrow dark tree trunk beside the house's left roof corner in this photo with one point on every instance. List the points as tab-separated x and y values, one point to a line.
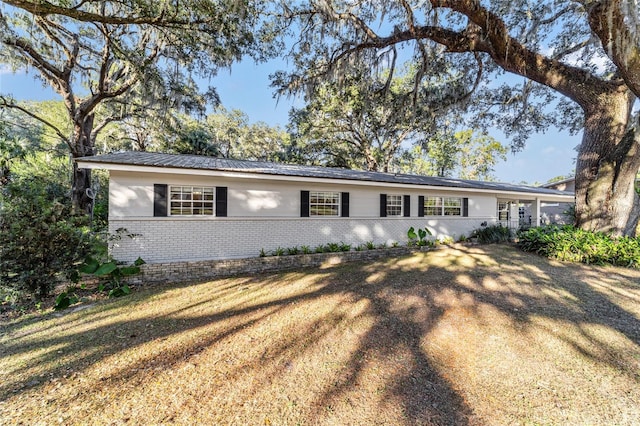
83	145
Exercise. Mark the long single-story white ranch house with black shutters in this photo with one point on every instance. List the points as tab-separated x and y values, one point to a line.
187	208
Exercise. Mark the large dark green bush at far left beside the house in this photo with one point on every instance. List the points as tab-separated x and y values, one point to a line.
40	239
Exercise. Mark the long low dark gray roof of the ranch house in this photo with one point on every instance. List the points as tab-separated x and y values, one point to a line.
196	162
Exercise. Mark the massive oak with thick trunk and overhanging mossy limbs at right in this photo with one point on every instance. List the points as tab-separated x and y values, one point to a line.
587	51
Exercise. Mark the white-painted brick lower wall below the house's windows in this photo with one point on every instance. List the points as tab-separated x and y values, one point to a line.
191	239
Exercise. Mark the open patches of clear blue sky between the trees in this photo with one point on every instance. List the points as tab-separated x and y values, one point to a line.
246	87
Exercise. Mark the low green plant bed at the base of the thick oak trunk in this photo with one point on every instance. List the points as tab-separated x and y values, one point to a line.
577	245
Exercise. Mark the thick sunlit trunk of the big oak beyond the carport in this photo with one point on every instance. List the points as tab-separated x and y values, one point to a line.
608	161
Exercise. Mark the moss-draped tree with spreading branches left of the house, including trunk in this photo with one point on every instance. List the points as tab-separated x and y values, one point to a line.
113	60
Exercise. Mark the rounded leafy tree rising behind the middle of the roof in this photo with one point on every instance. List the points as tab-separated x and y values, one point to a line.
362	121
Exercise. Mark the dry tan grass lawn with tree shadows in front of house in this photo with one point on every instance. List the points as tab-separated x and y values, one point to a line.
465	335
